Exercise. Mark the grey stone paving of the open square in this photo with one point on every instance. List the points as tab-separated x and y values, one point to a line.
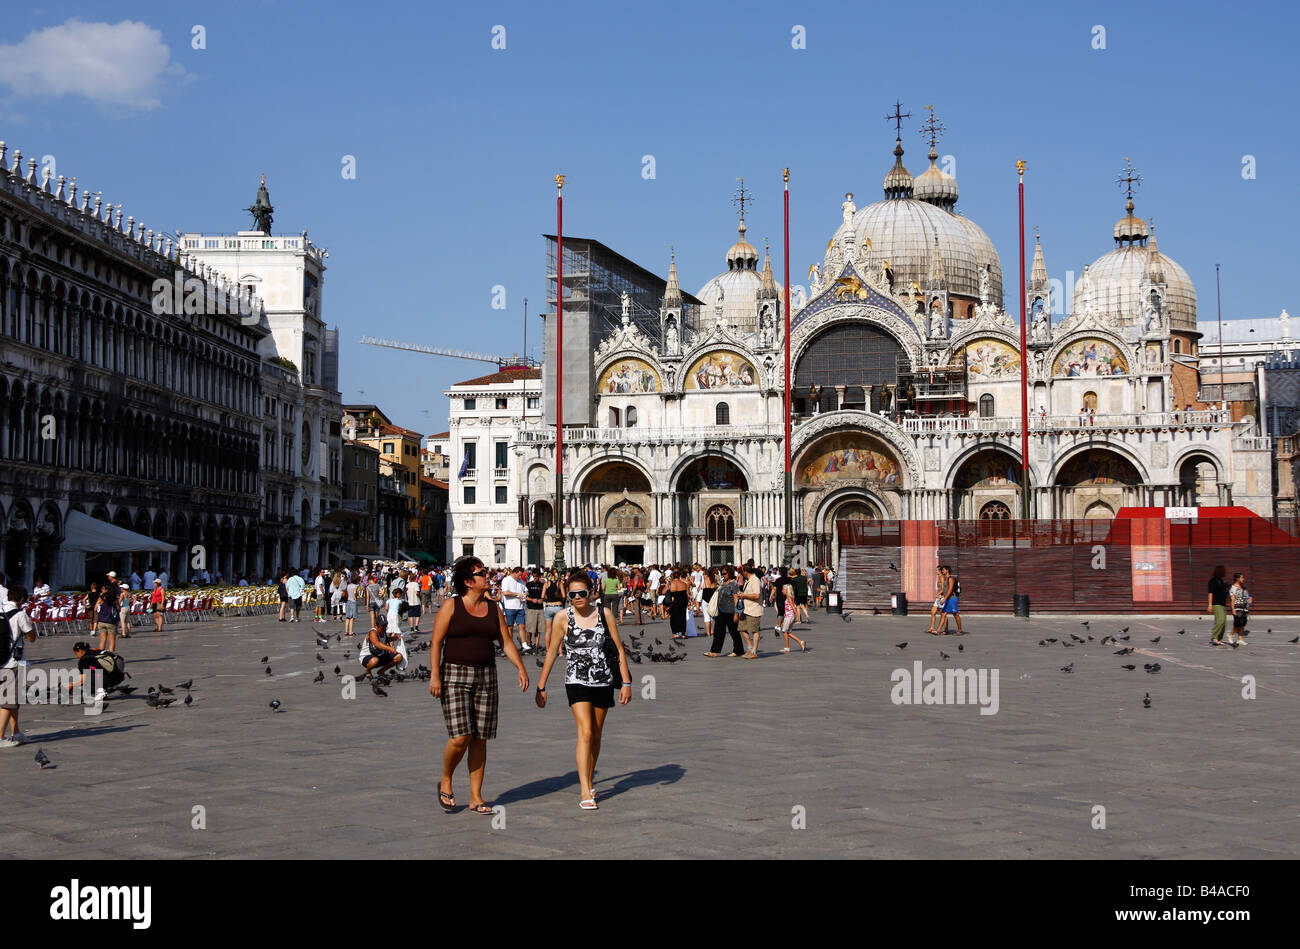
788	756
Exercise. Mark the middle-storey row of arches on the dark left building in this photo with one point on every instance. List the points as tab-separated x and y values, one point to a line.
46	427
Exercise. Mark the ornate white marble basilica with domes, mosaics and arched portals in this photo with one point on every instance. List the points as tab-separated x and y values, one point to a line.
905	397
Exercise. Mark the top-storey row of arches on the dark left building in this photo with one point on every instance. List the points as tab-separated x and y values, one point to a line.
59	318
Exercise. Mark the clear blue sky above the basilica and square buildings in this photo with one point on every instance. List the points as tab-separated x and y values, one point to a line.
457	144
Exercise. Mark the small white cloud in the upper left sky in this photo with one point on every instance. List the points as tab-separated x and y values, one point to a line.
123	66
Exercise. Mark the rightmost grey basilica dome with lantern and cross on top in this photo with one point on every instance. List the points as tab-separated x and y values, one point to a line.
1116	279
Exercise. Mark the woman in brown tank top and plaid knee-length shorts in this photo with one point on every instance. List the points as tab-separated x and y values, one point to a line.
466	632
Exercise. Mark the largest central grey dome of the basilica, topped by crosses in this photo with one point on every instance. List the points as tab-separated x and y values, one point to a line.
904	229
